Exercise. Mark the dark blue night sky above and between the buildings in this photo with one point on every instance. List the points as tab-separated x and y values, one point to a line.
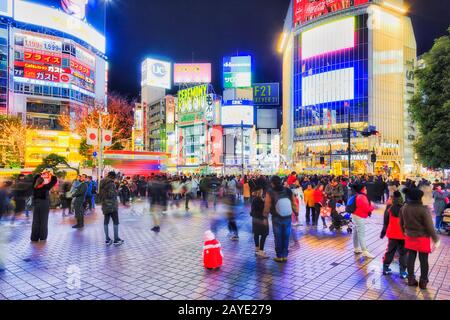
207	30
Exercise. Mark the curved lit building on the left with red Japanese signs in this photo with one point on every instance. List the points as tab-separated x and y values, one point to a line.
52	62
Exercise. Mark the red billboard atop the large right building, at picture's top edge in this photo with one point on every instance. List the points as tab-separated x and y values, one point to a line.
306	10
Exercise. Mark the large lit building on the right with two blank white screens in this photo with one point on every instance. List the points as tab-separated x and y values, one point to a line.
348	64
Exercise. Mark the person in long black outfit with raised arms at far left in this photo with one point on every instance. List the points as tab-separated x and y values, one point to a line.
41	204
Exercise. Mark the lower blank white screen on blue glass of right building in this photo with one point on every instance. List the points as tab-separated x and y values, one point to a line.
330	86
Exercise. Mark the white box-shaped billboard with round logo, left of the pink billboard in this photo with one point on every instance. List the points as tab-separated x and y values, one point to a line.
156	73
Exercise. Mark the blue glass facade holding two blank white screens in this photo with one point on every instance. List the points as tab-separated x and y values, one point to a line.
331	78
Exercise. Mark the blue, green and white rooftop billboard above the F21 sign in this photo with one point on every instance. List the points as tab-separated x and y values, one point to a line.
237	72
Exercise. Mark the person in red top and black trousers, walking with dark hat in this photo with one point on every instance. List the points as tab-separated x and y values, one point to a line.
392	229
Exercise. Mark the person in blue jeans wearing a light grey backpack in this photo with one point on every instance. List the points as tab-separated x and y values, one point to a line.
280	202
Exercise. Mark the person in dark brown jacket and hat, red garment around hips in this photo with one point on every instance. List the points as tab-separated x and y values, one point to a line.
417	225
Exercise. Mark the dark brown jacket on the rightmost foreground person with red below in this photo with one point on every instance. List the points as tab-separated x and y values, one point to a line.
415	221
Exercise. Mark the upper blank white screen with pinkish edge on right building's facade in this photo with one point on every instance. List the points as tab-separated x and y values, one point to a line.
329	37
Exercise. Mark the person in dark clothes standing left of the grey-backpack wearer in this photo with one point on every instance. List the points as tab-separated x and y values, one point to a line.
260	223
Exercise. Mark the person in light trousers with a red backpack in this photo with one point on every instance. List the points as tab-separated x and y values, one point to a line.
360	207
